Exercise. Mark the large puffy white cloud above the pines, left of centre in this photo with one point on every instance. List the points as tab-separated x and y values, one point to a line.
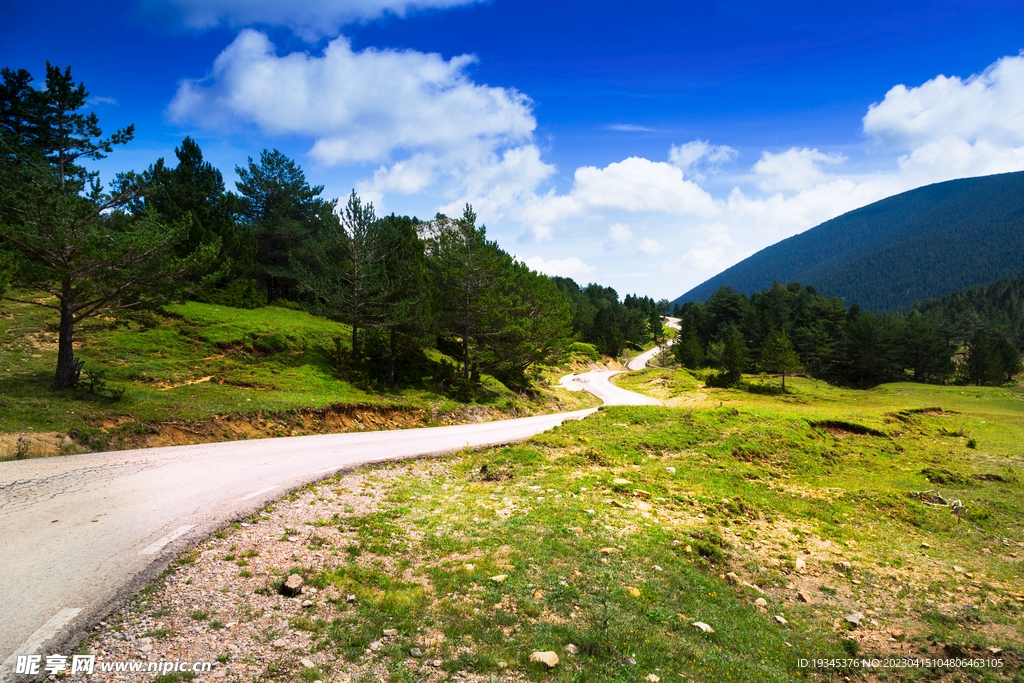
416	114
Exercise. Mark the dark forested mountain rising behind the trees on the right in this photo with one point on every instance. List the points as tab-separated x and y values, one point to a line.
922	244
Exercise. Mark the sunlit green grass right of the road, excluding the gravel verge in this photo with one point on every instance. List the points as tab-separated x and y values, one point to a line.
821	467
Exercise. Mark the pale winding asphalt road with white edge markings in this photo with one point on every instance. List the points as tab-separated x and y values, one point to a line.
80	533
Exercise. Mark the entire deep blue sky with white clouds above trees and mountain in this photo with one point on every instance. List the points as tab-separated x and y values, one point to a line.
644	146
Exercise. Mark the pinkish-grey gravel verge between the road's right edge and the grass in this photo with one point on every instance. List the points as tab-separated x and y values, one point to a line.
218	605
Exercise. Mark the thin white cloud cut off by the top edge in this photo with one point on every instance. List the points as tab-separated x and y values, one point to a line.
310	19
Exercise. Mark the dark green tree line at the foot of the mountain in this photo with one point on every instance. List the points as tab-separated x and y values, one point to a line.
968	339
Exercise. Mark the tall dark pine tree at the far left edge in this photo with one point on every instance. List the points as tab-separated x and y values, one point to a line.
77	243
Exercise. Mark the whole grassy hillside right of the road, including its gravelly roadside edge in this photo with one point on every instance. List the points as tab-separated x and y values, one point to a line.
618	534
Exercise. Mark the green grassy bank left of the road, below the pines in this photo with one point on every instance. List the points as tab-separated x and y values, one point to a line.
198	372
